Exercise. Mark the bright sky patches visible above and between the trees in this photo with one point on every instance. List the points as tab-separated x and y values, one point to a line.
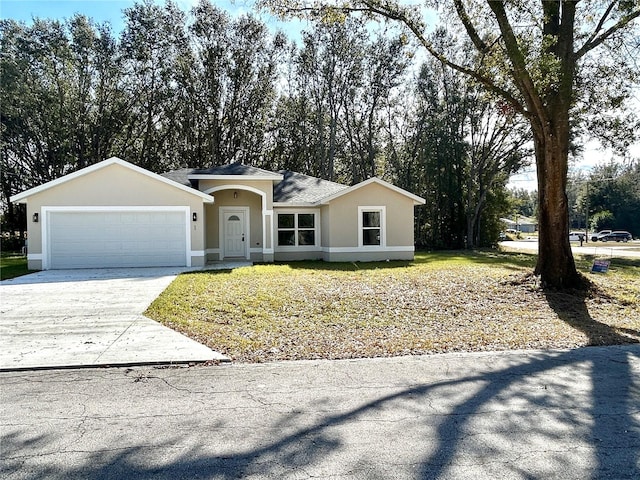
111	11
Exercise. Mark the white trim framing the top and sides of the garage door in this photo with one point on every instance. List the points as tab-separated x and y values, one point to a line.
44	223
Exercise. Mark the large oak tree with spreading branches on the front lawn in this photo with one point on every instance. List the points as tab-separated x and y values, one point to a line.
531	55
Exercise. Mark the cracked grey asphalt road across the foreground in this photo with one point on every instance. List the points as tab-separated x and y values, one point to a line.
518	415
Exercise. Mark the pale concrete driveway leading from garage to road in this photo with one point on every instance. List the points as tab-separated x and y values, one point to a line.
74	318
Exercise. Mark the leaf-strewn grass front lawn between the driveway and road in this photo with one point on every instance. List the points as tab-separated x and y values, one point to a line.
442	302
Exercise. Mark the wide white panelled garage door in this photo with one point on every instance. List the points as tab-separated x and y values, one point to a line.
122	238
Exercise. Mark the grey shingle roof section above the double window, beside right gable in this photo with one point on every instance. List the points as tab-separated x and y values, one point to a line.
300	188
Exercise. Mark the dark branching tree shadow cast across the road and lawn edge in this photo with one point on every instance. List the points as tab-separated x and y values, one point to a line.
606	422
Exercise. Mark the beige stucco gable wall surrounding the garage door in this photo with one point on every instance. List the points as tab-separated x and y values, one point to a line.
114	185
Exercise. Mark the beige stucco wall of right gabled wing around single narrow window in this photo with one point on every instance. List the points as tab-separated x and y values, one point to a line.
343	216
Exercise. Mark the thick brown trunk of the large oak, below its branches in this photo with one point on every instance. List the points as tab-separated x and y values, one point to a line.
555	265
